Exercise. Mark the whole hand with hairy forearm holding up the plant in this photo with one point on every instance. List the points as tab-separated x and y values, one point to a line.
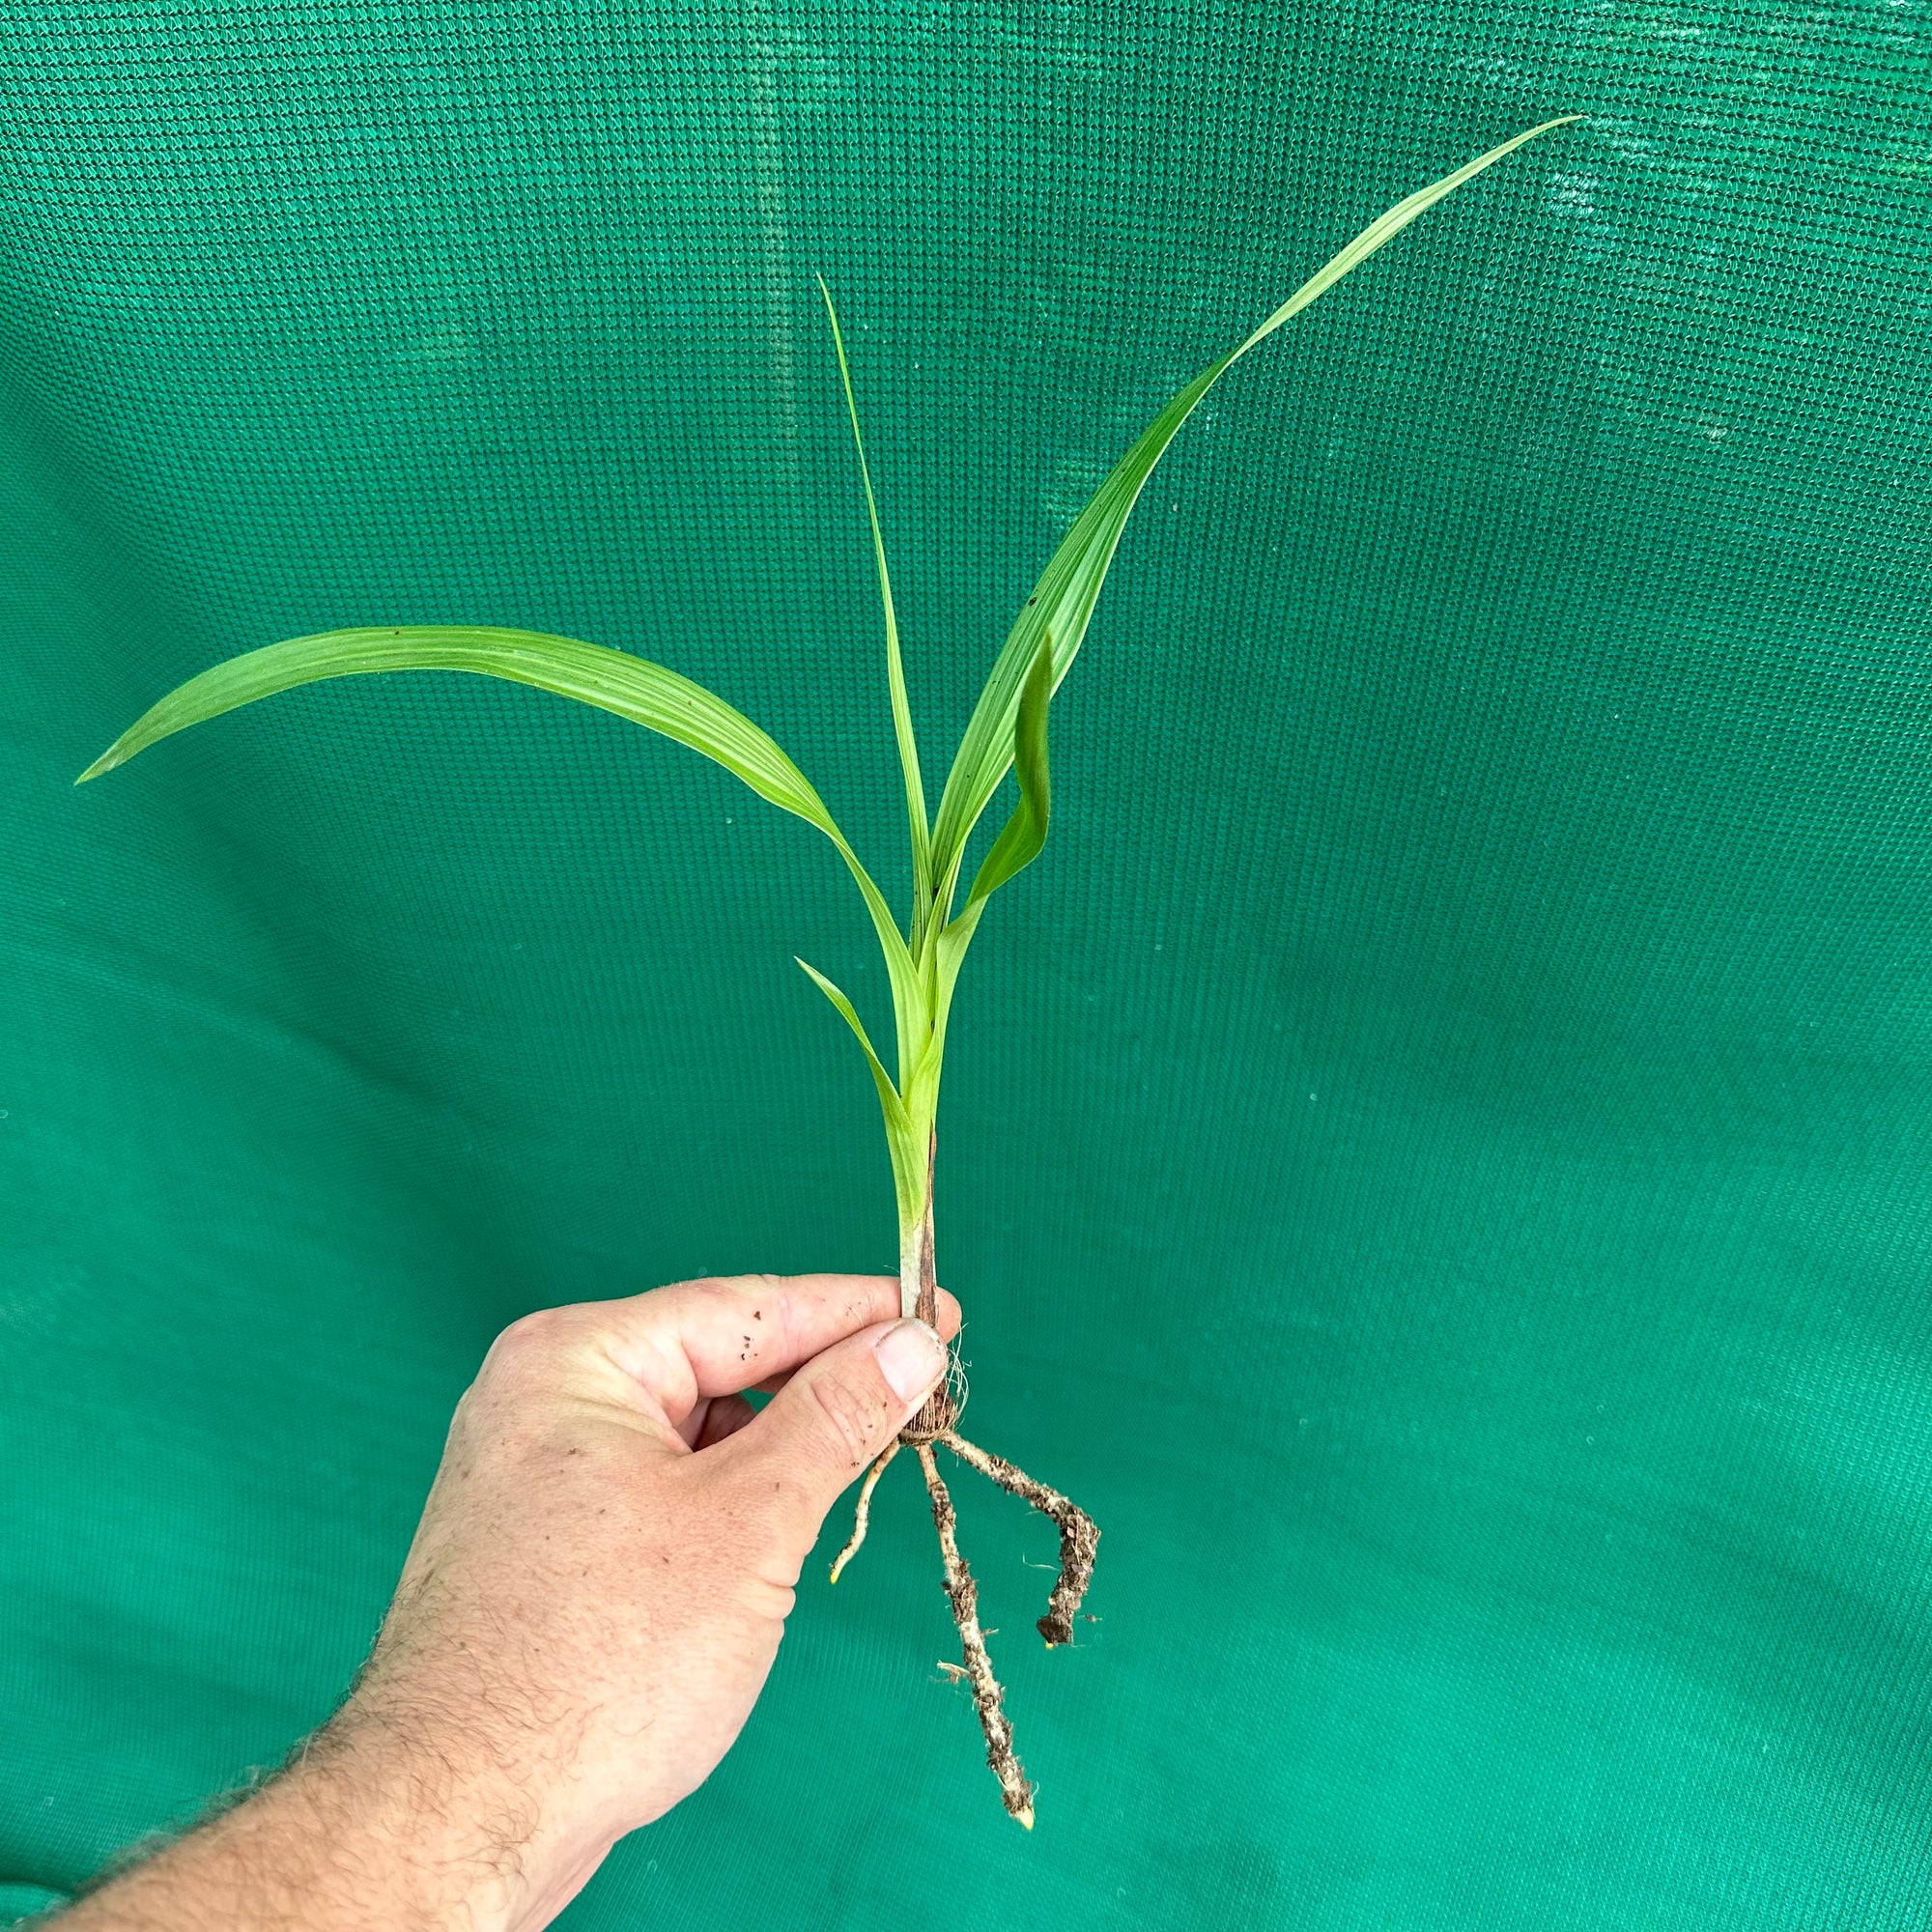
586	1616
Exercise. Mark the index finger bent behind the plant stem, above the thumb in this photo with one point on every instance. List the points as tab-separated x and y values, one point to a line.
710	1338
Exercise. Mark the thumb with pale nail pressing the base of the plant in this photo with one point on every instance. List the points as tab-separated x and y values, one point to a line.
834	1417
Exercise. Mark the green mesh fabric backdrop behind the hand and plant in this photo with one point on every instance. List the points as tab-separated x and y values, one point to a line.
1435	1156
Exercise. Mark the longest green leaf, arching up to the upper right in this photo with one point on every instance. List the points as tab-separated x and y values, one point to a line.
1067	590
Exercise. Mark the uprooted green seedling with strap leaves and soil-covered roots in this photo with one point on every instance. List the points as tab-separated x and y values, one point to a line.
1008	731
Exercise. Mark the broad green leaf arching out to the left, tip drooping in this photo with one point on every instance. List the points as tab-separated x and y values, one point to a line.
590	673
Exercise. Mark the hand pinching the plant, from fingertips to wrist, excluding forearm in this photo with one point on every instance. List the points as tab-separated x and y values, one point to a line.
608	1558
